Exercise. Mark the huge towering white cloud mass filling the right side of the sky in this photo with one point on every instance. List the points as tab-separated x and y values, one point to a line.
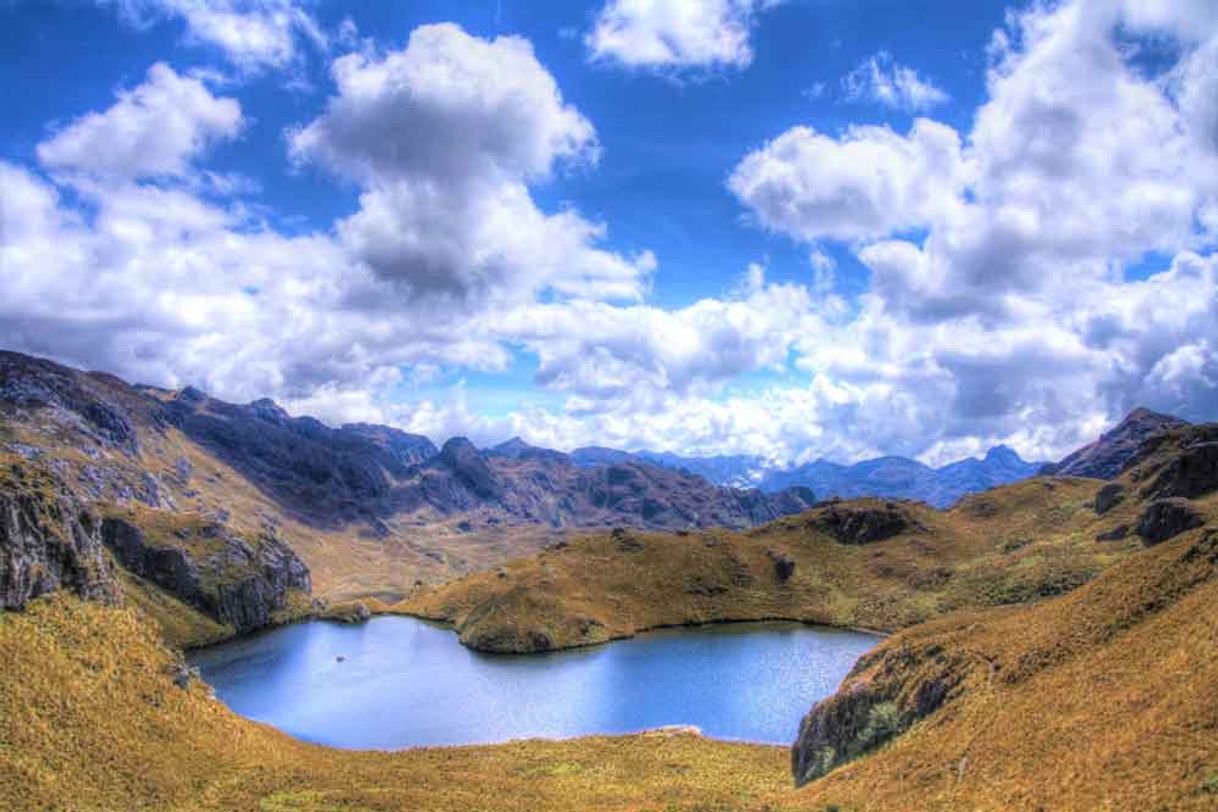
1001	284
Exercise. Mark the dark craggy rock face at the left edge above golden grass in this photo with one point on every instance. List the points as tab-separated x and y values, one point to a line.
48	542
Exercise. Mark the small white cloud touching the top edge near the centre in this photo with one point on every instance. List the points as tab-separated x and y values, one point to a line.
675	33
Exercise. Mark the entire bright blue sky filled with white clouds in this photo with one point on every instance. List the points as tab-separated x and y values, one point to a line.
797	229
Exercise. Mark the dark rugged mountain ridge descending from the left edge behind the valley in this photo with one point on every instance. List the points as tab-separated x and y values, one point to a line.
360	473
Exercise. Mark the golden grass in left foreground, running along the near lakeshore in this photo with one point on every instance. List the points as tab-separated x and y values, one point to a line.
91	720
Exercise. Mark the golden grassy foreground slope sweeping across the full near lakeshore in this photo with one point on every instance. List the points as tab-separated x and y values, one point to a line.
1102	699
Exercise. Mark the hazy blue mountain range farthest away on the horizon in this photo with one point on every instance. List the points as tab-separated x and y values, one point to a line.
885	477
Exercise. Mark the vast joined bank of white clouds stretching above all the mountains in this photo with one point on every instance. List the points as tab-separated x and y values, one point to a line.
1031	278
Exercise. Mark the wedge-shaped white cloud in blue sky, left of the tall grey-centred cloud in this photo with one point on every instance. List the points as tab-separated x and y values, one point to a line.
155	130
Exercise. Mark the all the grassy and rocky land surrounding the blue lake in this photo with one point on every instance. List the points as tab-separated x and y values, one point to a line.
1021	618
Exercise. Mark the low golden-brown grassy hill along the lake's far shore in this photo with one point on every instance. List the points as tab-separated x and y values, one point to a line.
1013	545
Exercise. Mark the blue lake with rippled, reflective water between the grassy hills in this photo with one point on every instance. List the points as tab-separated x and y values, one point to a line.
406	684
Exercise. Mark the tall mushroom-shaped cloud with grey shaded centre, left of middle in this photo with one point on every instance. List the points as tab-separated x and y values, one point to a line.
445	138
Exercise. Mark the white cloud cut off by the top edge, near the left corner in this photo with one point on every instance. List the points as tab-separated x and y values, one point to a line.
254	35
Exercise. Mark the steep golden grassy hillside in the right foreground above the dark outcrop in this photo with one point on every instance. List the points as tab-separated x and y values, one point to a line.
1103	699
